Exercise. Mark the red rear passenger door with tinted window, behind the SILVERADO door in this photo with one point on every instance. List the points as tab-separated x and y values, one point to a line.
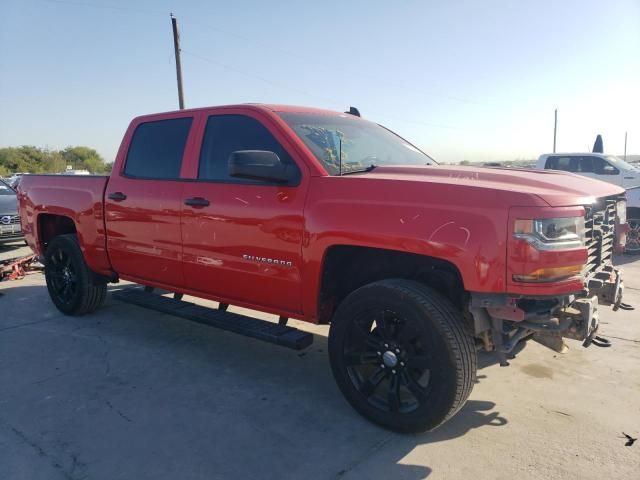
143	202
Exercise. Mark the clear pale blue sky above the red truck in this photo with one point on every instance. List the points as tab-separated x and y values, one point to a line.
462	80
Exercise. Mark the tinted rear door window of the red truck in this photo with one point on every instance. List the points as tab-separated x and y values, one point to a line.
156	149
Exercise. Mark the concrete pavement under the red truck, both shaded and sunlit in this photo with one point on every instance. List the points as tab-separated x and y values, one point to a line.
127	393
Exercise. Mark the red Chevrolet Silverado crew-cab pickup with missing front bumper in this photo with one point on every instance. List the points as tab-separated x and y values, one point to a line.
329	218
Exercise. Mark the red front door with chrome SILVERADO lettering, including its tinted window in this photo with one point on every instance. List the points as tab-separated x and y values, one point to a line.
242	238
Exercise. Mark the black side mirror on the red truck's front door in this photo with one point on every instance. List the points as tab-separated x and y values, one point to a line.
260	165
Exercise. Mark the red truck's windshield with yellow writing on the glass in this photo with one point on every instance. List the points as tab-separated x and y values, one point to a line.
358	142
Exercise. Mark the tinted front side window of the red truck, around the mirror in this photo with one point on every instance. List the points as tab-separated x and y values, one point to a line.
226	134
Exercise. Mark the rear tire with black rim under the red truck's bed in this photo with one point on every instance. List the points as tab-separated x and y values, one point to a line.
71	285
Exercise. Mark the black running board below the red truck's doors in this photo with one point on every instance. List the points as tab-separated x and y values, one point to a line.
285	336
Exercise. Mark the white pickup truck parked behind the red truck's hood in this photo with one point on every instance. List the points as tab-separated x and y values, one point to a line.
607	168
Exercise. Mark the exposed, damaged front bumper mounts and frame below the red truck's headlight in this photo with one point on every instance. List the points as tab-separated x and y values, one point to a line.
501	321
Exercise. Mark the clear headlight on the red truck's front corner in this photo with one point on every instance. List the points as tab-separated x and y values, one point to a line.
551	233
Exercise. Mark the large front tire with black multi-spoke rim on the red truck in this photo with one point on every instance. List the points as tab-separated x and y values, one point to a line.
400	355
